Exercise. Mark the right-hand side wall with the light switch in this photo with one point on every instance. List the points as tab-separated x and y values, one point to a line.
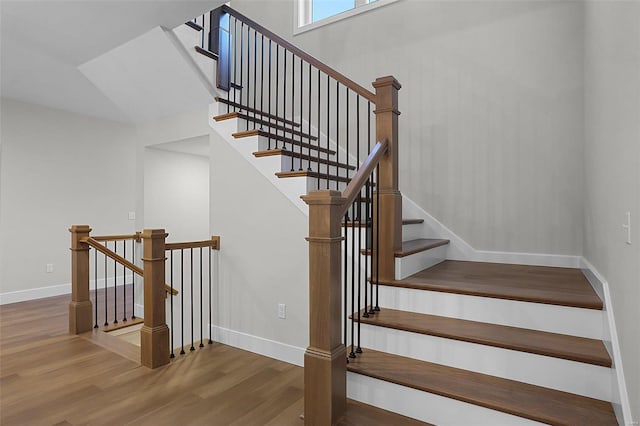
612	168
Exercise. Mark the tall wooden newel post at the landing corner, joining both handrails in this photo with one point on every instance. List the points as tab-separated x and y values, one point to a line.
390	238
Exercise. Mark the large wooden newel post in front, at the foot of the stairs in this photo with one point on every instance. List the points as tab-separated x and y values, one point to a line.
325	361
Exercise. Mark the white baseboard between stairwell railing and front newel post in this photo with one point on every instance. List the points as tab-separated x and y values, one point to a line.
270	348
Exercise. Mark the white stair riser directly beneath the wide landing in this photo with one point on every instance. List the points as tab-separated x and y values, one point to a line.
535	316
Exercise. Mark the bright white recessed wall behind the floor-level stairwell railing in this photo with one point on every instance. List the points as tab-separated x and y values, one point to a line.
176	194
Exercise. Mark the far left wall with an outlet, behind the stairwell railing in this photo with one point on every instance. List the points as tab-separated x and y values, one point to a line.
58	169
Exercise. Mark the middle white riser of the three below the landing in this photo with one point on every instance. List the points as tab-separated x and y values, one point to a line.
549	372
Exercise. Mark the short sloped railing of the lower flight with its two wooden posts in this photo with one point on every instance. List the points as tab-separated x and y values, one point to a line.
325	365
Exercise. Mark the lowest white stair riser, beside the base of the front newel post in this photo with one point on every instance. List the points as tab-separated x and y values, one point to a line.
426	406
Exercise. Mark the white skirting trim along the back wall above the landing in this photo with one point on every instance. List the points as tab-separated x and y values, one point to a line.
459	249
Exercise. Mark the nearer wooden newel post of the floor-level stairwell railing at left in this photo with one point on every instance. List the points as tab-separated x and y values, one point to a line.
154	335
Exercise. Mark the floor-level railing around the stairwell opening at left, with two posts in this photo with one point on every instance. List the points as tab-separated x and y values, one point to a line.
156	344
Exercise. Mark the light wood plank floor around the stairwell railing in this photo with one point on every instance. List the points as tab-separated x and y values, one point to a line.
48	377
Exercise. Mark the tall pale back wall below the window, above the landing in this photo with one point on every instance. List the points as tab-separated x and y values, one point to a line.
491	126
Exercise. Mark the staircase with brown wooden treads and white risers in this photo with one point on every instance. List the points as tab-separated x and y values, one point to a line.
447	342
